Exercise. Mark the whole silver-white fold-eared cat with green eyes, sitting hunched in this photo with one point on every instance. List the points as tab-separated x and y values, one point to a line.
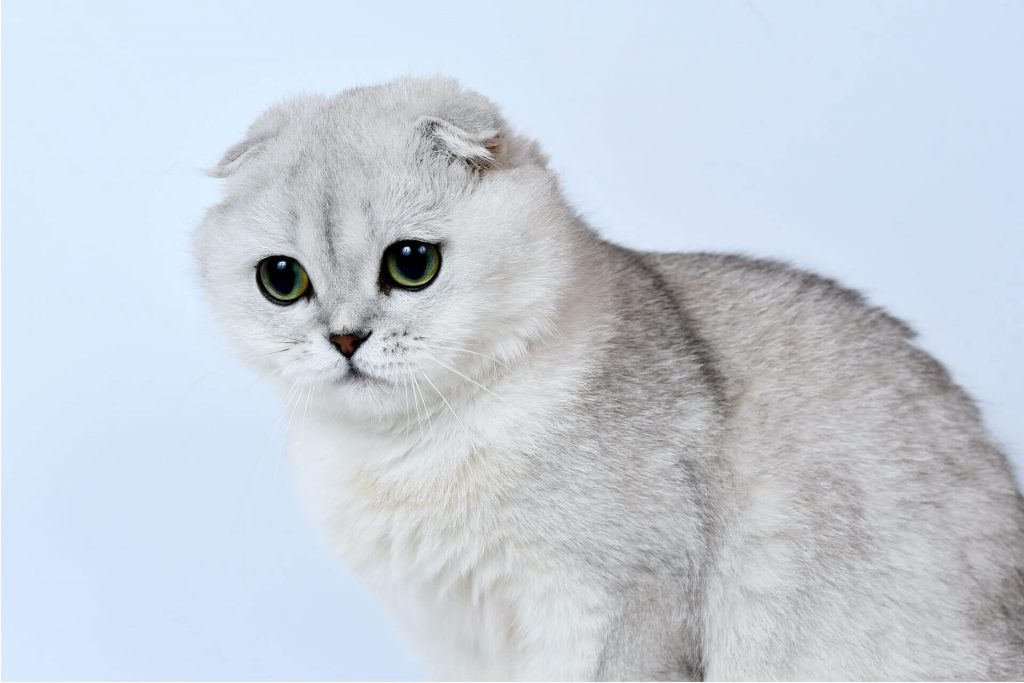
556	458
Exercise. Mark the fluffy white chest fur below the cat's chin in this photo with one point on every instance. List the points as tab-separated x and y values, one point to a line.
438	536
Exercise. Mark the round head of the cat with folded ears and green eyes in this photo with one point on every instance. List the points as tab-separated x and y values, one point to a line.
386	235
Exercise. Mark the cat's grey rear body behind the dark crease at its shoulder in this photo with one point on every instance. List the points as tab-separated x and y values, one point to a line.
874	529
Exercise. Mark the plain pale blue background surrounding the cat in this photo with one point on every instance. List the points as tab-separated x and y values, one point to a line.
150	530
